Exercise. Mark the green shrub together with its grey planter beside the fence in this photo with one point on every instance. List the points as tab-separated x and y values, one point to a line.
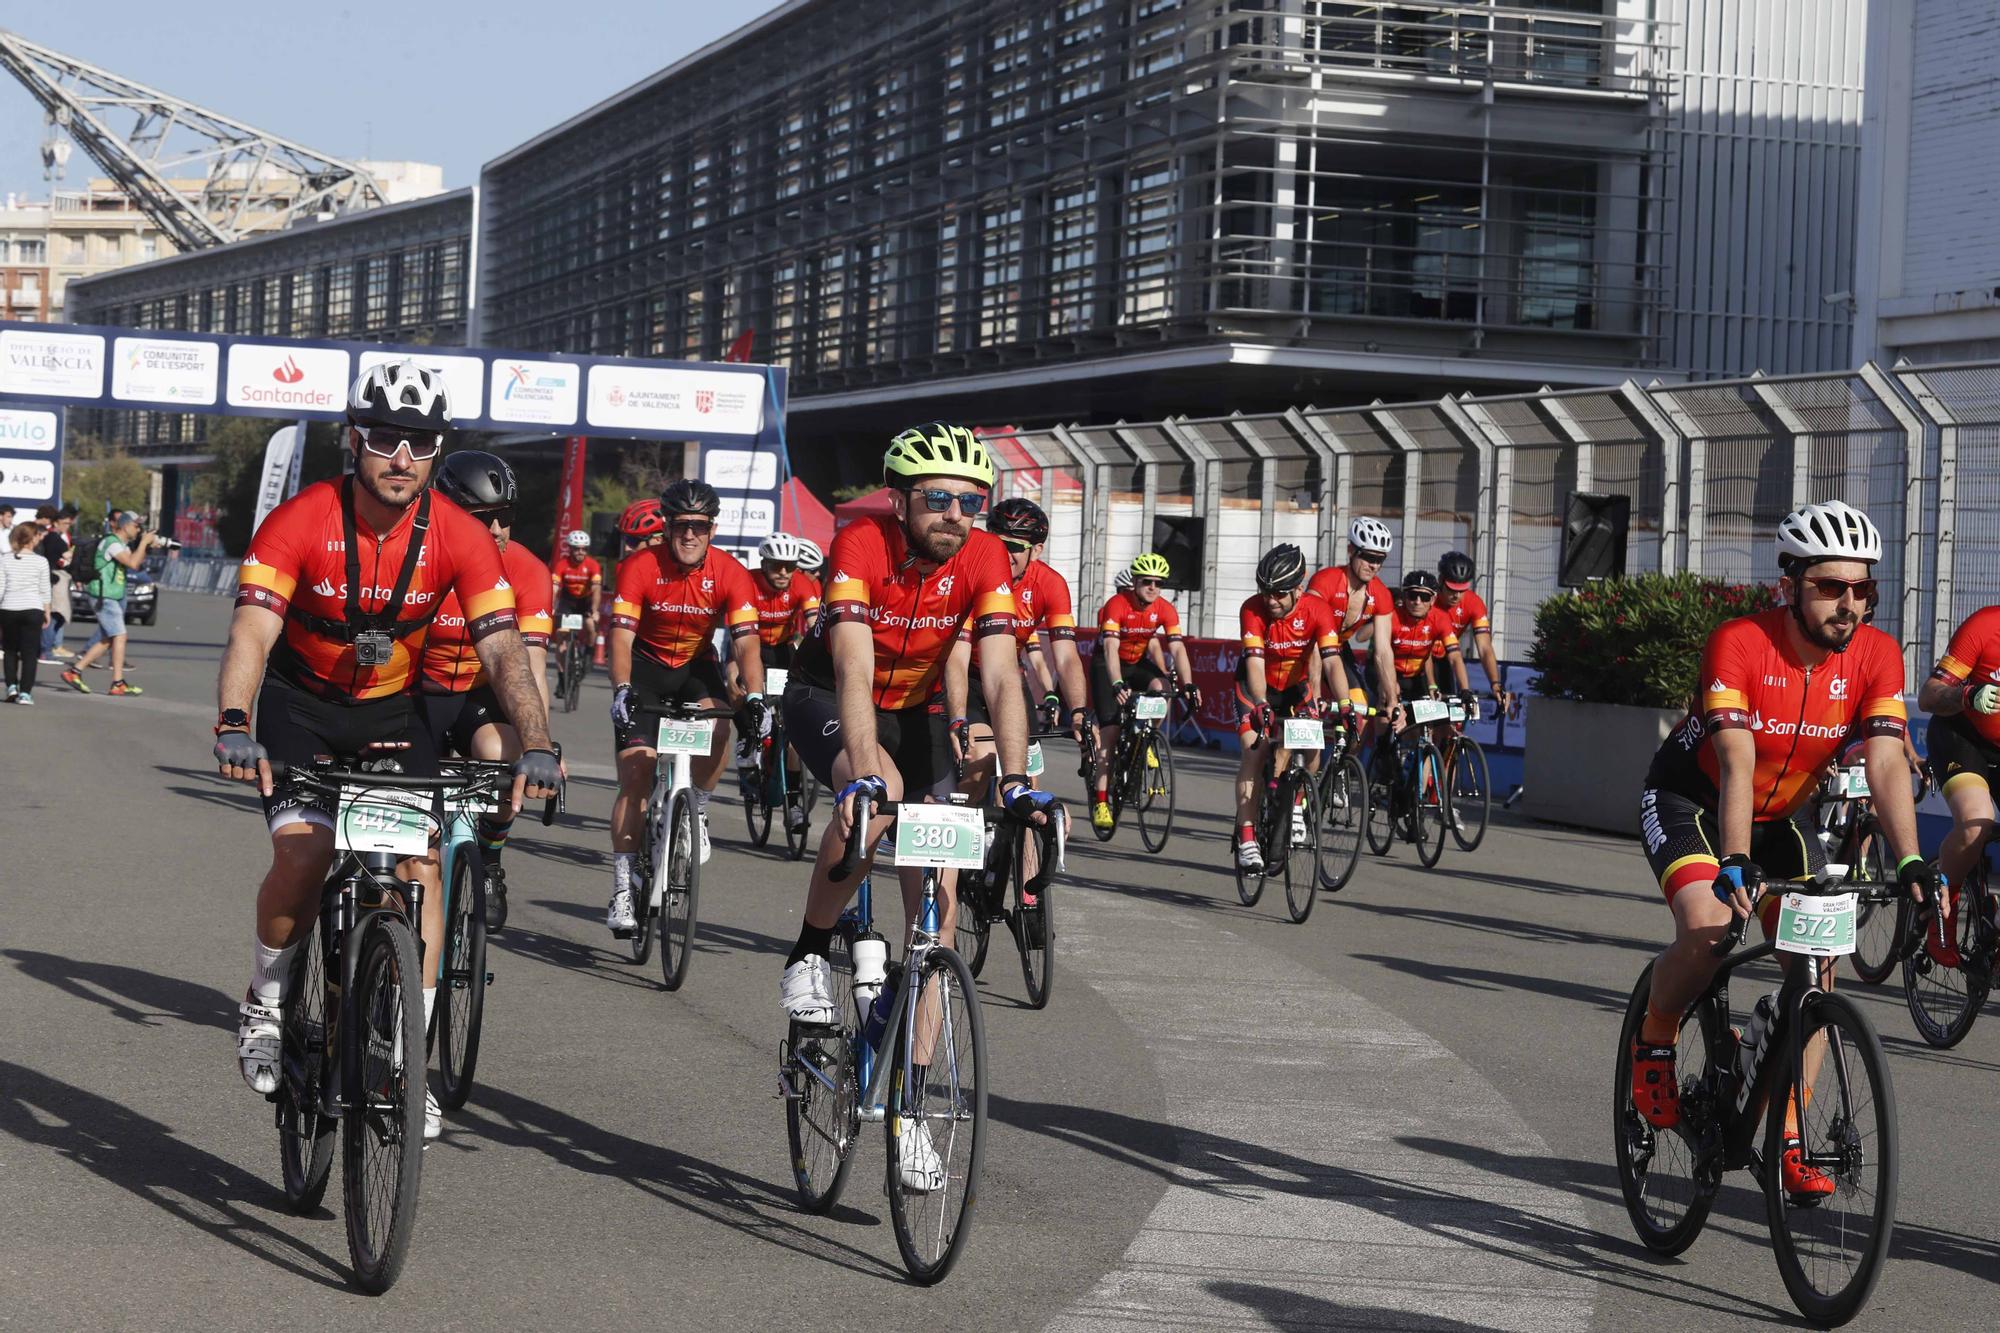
1619	668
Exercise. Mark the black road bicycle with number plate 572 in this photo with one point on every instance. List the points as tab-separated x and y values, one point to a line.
1811	1060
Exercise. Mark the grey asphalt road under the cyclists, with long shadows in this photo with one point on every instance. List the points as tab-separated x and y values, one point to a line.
1395	1116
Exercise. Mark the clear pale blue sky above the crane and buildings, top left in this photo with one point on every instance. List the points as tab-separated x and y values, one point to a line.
431	81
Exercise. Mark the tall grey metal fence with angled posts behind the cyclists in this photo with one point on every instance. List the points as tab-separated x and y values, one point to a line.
1711	469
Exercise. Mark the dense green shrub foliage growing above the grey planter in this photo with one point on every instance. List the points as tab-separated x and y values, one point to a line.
1635	641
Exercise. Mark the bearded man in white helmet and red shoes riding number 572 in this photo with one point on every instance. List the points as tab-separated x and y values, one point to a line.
1781	694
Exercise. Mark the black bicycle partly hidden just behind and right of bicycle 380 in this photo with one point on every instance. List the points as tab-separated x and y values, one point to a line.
1005	894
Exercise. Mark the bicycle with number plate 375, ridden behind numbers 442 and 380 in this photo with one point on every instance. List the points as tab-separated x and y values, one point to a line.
667	872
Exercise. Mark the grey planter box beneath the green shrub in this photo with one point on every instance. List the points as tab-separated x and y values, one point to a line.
1587	764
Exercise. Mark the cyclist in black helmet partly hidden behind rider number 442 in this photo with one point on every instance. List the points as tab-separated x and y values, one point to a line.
459	706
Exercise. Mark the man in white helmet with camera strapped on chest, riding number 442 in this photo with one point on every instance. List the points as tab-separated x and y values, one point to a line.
337	593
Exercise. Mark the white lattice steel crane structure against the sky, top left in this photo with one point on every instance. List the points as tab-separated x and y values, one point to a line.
155	147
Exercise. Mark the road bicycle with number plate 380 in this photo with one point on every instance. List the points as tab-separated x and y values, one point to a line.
913	1066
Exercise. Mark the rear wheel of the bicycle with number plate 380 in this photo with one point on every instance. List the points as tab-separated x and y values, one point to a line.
825	1122
